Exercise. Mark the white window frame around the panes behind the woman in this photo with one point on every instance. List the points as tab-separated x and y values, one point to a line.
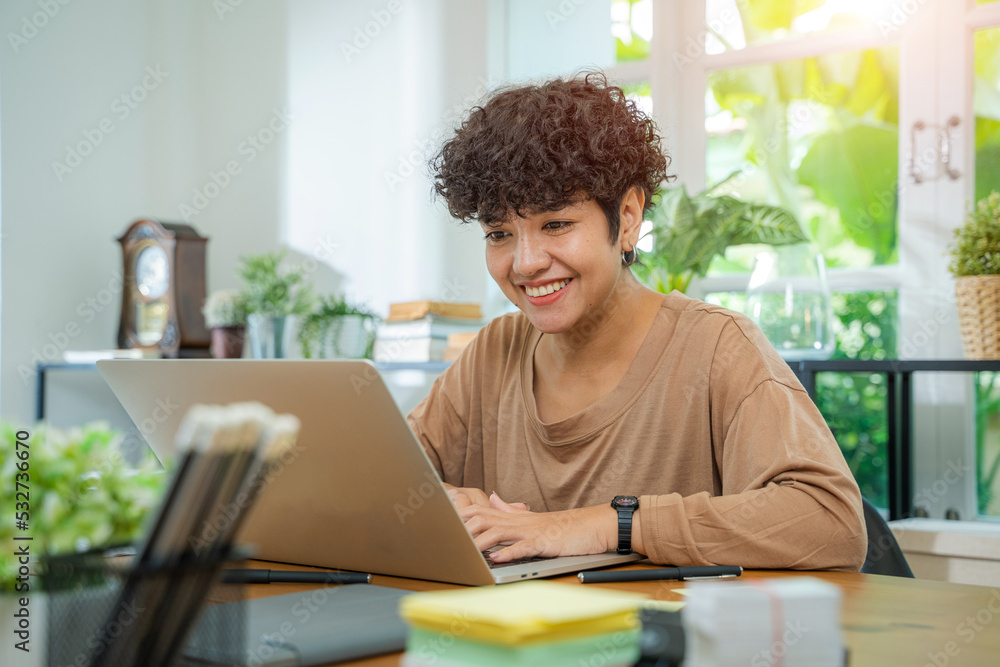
936	53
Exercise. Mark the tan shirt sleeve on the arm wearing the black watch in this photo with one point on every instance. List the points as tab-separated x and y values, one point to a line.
788	497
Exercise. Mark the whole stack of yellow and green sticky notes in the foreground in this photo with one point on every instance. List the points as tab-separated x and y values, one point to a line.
521	625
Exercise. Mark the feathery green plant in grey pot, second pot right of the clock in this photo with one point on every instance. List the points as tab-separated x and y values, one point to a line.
272	295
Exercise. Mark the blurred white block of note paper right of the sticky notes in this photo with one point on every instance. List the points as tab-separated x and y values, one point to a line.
794	622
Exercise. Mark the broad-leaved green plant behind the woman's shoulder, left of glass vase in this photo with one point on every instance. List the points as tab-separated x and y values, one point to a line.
689	232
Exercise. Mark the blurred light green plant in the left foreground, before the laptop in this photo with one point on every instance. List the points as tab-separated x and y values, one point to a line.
80	493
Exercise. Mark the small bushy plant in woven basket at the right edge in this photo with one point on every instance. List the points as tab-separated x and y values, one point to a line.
975	264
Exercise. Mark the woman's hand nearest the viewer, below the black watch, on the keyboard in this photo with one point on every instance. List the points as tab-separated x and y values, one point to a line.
578	532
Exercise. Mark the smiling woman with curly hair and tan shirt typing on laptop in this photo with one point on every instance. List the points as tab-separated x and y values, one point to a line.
601	391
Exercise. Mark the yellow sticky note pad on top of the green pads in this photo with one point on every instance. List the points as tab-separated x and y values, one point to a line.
524	612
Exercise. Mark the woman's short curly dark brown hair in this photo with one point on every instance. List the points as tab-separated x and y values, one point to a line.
543	147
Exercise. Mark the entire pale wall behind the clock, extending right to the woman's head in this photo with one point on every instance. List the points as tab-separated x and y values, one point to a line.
323	176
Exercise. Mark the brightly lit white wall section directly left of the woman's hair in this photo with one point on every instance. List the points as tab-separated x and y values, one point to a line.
372	98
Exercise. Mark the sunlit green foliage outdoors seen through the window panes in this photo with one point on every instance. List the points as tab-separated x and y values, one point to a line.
820	137
